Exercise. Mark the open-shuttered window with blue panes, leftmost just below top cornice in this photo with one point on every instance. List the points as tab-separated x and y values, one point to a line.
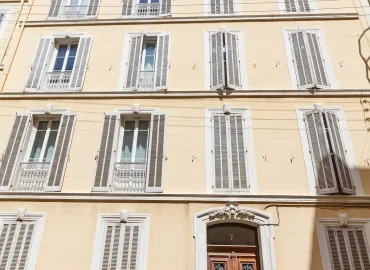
59	64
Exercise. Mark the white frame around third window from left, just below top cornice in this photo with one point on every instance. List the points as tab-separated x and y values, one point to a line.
242	58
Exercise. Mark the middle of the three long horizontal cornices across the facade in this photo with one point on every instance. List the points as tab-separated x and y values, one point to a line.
330	93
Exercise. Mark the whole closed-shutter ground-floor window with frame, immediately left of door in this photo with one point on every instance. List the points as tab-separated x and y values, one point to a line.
121	245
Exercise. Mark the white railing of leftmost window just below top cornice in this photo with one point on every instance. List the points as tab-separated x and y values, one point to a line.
56	81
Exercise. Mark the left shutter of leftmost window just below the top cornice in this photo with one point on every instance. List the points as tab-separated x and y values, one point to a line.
39	63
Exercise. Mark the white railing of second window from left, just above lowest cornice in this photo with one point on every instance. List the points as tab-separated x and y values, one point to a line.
129	177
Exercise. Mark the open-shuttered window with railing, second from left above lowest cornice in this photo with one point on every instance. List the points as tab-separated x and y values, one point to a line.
137	165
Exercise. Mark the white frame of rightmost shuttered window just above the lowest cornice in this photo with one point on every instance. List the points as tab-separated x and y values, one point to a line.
351	159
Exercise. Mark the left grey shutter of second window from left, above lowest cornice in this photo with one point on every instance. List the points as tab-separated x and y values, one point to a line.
106	152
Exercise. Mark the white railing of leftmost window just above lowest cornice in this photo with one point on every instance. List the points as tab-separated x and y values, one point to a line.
32	176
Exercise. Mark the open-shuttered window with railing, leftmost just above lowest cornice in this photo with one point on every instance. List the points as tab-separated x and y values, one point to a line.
46	140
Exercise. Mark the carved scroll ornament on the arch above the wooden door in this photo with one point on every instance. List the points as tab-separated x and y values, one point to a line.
232	211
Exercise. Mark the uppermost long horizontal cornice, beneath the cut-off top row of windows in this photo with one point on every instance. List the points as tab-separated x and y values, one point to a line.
198	19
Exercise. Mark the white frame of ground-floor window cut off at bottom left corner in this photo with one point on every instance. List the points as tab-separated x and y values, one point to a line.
39	220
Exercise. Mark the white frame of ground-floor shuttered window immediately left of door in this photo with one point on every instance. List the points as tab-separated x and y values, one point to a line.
103	219
